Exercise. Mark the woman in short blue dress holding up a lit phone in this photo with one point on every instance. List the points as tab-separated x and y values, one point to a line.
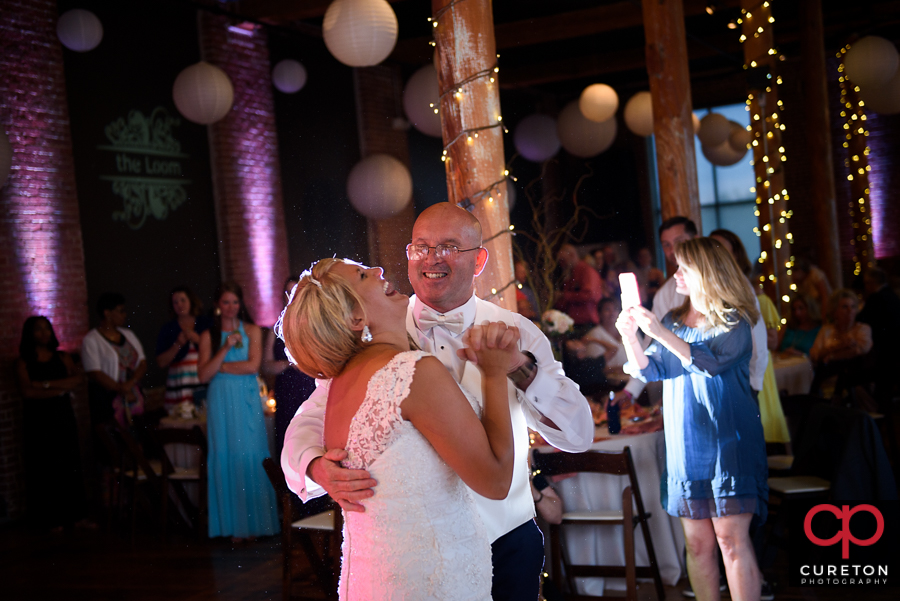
715	478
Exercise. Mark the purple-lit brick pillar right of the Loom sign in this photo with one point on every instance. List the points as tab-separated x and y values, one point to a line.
246	171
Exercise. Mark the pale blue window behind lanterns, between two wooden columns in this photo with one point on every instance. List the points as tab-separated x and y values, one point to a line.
726	201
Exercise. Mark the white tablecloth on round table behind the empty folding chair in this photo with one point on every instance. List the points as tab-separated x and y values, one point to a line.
604	544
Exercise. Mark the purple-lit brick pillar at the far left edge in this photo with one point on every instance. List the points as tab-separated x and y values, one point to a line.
42	257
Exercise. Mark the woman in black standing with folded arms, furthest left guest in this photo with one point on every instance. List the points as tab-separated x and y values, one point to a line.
47	376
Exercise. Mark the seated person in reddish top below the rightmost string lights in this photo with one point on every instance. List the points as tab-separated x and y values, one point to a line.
841	346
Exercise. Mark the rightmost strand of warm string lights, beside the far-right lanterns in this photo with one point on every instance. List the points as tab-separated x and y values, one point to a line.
858	165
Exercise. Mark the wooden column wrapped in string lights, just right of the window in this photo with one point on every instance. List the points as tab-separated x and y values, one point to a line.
761	62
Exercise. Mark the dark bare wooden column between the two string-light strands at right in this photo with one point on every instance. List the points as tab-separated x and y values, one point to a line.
821	193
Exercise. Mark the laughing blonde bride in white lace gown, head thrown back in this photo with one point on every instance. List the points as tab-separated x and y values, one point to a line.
401	416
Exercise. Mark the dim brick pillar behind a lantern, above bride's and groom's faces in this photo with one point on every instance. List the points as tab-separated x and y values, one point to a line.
379	91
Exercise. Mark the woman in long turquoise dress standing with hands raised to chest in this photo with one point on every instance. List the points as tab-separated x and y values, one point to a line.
241	500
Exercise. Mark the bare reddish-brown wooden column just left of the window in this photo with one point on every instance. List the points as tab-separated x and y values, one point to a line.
670	87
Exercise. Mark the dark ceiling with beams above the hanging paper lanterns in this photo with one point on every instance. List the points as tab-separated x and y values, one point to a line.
558	47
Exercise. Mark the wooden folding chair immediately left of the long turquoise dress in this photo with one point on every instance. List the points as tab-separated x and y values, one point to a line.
174	477
